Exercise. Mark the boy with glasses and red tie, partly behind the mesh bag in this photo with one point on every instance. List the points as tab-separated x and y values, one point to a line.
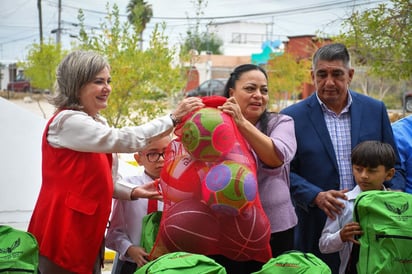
124	232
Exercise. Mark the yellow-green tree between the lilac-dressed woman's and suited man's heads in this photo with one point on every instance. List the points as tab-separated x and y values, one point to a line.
286	75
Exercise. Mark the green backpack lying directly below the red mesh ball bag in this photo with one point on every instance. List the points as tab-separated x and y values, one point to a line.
182	262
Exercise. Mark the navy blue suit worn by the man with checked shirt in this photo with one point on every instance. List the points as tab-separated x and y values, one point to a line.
315	167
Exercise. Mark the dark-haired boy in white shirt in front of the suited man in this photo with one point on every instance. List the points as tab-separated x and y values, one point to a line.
373	163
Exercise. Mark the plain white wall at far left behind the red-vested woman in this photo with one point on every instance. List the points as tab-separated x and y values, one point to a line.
20	162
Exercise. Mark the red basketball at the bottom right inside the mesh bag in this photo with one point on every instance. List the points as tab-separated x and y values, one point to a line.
246	236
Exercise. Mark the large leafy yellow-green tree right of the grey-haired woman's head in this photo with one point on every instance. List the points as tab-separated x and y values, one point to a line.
142	81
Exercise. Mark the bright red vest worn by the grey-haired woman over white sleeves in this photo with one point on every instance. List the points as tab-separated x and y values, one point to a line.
73	206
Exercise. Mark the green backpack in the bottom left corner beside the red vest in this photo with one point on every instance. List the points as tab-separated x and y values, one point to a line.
19	251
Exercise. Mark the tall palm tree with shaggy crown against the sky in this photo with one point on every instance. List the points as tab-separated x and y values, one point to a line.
139	15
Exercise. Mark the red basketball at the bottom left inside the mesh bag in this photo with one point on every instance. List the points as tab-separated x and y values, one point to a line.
190	226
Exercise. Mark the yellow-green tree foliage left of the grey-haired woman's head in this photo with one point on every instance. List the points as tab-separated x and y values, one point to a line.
41	64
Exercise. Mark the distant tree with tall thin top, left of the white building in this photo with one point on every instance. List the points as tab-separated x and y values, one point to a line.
199	40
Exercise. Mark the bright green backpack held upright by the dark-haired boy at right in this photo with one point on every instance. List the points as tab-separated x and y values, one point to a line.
385	218
